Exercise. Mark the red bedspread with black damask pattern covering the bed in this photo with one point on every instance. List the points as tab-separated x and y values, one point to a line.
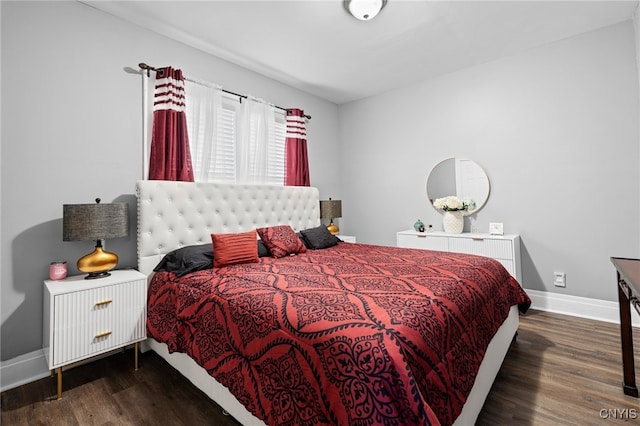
354	334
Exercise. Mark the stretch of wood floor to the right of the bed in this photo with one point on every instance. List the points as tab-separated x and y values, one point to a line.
562	370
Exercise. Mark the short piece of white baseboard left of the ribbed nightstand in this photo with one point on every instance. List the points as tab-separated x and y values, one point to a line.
23	369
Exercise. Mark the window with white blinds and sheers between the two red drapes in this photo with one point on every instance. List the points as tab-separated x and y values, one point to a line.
234	140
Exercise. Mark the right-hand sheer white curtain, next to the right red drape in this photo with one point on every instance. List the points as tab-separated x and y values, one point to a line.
256	130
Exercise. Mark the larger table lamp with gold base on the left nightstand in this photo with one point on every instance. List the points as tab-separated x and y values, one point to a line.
97	222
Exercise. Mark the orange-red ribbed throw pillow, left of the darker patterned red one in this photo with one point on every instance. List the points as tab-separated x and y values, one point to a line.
229	249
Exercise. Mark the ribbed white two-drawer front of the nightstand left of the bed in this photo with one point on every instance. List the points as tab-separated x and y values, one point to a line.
93	321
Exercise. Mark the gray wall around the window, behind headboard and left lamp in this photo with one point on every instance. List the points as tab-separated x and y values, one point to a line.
72	131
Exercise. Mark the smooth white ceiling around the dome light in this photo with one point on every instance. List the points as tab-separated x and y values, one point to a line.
315	46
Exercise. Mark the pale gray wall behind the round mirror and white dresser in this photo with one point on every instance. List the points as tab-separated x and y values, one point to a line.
555	128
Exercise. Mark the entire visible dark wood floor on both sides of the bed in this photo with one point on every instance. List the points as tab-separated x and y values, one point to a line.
561	371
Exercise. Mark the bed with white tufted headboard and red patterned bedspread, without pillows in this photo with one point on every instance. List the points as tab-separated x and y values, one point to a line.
336	335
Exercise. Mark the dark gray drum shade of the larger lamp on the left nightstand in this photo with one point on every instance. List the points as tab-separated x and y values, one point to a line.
85	222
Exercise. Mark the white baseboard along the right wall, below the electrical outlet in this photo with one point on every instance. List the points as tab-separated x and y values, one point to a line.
601	310
